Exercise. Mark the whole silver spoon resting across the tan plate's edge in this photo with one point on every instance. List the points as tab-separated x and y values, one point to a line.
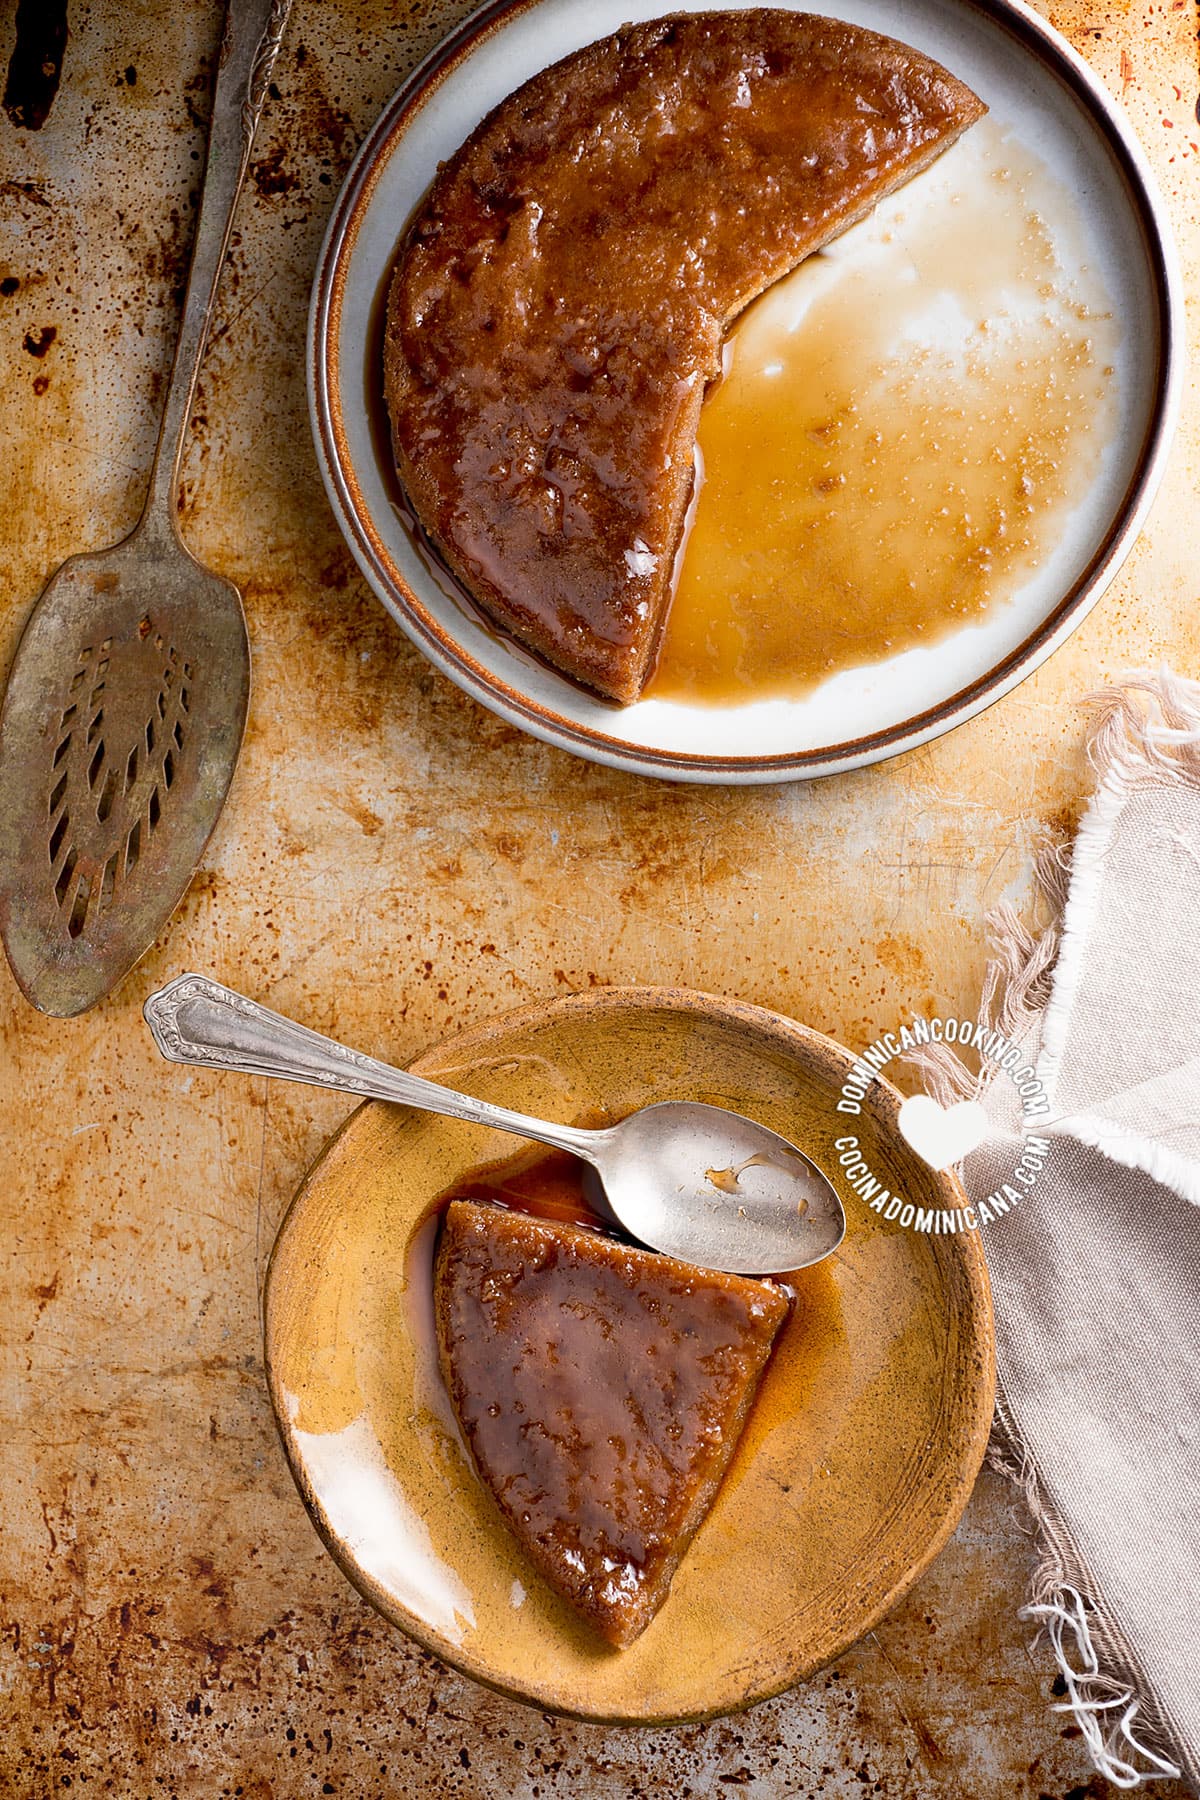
688	1180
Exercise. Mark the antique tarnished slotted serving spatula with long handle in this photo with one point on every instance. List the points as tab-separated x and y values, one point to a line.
129	692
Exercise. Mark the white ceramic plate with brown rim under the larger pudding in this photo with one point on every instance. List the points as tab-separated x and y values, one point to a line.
1104	217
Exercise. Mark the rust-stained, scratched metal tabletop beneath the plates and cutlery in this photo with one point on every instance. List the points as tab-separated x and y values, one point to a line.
395	865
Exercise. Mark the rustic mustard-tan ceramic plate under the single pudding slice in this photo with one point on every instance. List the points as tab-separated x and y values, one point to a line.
855	1464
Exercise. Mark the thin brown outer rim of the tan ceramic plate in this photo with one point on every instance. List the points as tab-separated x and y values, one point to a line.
787	1034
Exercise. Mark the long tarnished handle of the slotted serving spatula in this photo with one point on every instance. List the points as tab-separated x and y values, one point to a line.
249	51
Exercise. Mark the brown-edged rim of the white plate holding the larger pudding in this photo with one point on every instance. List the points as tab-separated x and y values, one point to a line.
542	721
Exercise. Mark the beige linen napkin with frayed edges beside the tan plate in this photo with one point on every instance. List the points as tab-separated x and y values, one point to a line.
1097	1275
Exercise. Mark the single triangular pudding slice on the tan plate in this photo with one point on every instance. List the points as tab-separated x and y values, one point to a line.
602	1392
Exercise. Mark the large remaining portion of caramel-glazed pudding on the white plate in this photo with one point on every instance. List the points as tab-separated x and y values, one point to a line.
564	291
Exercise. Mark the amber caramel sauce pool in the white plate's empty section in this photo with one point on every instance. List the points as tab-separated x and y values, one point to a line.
902	427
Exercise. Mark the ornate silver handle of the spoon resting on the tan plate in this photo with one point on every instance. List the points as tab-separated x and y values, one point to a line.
201	1021
